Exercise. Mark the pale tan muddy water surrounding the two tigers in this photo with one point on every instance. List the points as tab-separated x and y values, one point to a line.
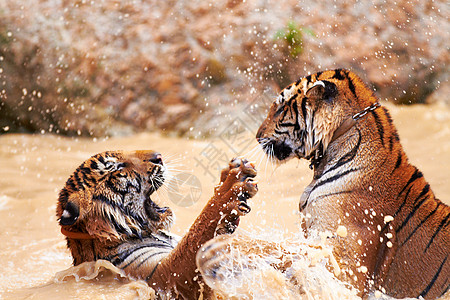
34	262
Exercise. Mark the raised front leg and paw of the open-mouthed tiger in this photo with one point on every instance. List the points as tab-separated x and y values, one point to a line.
178	271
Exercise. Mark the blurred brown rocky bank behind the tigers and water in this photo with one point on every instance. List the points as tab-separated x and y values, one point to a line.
96	68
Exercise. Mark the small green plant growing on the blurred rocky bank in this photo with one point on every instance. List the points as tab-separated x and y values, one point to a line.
292	35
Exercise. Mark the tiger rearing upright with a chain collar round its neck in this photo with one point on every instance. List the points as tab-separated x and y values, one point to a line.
398	232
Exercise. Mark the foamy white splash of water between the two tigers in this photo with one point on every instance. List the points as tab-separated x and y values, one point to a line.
249	267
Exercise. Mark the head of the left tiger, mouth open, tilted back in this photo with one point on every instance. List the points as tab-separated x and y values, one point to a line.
108	196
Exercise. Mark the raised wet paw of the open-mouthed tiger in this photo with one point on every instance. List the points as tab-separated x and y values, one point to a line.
236	187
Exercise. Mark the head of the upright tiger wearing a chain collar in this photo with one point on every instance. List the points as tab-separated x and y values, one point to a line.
304	117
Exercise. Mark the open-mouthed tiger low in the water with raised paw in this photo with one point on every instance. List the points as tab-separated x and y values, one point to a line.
105	212
